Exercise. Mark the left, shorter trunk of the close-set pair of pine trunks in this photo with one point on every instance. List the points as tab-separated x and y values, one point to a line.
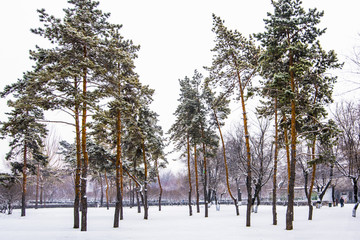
78	164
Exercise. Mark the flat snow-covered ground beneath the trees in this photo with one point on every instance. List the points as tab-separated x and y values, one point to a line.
173	223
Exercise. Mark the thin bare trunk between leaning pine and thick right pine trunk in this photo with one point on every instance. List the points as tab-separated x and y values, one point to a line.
274	212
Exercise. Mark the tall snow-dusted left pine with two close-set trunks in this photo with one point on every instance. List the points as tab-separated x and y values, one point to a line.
69	68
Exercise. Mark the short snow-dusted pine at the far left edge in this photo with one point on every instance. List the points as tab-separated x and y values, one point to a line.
24	129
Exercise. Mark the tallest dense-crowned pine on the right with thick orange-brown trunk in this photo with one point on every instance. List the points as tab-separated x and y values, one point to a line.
290	44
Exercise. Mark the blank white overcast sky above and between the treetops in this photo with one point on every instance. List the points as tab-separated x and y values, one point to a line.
175	38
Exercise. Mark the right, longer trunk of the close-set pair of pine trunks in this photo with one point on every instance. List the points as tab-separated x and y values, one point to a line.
84	151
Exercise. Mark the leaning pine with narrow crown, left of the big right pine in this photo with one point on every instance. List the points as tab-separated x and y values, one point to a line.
235	64
